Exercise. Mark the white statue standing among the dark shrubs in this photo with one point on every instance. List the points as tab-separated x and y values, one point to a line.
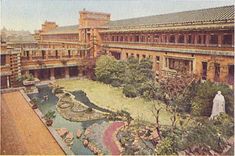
218	105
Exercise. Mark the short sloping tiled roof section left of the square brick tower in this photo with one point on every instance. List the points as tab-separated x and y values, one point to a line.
63	30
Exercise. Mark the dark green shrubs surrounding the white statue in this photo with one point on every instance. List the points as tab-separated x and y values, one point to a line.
198	99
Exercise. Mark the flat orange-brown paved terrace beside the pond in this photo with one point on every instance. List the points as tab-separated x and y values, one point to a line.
22	131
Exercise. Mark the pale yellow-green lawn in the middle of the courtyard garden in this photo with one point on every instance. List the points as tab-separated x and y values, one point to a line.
112	98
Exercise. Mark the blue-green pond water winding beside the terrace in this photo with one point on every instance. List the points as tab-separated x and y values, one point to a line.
59	121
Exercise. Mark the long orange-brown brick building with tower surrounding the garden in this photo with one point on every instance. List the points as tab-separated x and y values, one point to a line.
200	42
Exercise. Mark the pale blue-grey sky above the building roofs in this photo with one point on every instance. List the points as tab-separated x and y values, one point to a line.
30	14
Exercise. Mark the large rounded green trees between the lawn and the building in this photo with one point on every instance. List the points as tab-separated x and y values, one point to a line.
135	76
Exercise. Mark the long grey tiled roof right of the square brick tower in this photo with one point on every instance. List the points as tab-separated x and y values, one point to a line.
203	15
